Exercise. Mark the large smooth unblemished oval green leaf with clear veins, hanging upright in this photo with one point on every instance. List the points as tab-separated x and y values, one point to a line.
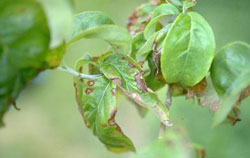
188	50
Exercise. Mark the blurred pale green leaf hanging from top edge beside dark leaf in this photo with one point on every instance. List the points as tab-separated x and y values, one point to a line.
60	18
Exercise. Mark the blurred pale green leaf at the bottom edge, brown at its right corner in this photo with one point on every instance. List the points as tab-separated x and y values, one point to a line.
173	144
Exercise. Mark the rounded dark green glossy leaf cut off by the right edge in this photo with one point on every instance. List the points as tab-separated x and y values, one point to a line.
228	64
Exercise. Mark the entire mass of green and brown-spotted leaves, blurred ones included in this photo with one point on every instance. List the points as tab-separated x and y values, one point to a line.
166	43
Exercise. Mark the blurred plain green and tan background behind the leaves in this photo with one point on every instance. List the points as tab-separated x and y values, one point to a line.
50	126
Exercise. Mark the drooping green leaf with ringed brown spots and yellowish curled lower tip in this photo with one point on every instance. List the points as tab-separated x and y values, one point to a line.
97	100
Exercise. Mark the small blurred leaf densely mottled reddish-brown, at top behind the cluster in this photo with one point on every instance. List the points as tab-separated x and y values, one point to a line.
140	17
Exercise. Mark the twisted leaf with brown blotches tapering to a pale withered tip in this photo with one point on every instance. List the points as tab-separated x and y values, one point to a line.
126	73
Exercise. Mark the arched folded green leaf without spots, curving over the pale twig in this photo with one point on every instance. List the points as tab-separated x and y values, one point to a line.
97	25
